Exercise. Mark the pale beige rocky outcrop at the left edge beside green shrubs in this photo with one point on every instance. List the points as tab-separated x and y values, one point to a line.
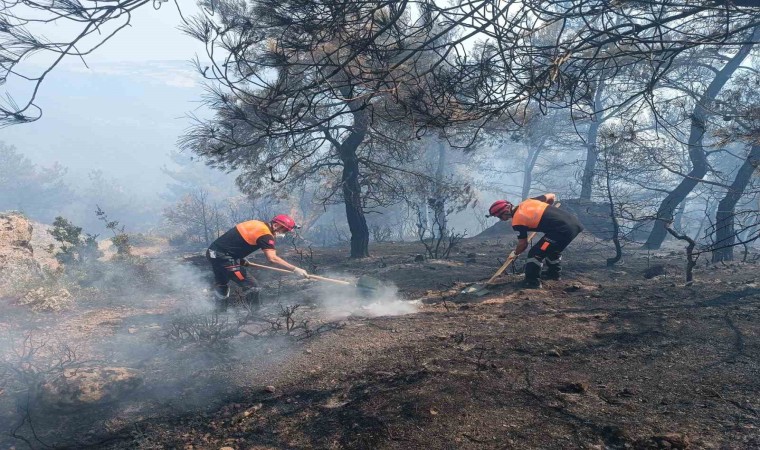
17	264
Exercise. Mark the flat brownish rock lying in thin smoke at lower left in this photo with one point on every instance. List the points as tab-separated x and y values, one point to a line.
80	387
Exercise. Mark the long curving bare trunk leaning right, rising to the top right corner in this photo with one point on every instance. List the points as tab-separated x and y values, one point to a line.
697	154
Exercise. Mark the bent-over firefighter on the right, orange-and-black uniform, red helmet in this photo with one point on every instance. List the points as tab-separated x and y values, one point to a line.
560	227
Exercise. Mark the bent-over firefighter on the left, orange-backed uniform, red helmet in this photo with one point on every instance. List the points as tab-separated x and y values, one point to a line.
226	255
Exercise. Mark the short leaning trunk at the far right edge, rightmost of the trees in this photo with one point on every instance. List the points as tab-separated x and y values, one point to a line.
725	233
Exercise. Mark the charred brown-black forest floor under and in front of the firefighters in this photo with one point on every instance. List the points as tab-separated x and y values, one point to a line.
605	358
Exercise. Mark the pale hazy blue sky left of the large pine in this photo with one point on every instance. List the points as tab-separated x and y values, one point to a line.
123	112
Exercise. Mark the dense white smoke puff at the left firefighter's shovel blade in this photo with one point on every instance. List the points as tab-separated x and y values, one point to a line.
339	301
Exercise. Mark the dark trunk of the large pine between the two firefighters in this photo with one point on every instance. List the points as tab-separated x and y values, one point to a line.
352	197
